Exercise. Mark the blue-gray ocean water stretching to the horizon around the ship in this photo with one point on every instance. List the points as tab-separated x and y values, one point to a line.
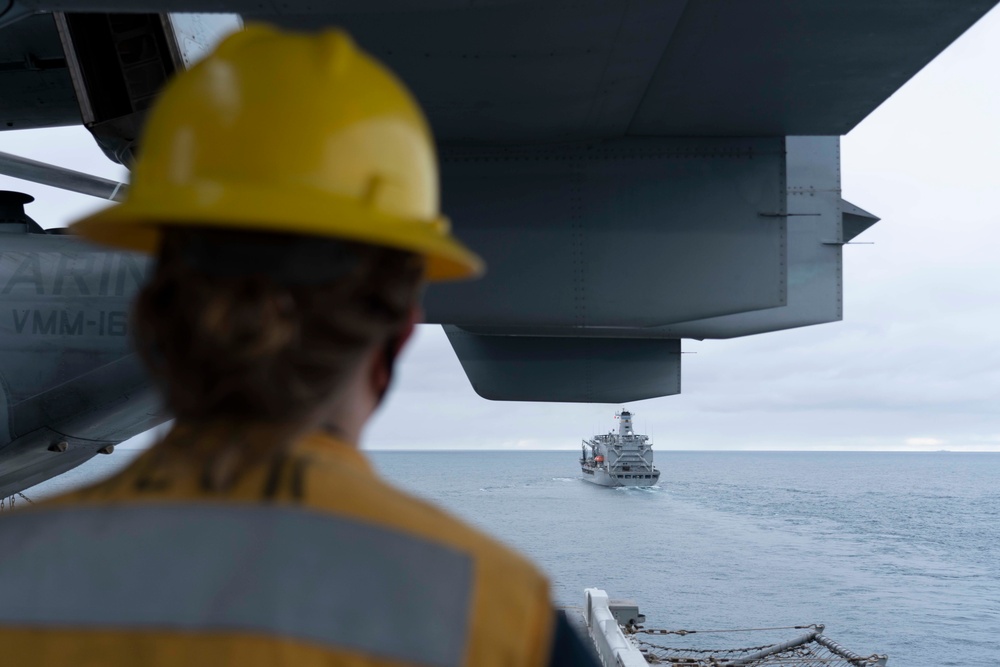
895	553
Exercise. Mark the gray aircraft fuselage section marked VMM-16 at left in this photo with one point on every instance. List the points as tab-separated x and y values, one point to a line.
70	384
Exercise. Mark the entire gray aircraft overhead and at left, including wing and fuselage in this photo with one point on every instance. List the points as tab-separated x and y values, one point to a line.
635	172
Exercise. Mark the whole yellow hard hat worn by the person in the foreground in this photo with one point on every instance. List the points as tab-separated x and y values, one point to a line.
295	133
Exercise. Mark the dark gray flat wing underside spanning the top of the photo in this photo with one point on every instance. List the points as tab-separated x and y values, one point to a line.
544	71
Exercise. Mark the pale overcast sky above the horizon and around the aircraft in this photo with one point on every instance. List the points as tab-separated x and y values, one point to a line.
915	364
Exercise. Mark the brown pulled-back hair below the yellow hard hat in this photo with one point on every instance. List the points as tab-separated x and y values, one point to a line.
264	327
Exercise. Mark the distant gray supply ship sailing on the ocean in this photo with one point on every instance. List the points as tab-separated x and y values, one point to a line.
619	459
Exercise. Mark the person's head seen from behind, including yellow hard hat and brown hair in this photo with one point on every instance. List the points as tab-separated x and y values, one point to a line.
288	185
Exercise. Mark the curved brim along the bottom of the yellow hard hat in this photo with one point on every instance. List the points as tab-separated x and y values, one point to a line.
137	223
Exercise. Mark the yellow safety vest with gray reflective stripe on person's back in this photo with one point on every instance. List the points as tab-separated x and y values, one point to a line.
313	561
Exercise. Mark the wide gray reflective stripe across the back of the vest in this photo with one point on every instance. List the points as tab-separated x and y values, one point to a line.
273	570
